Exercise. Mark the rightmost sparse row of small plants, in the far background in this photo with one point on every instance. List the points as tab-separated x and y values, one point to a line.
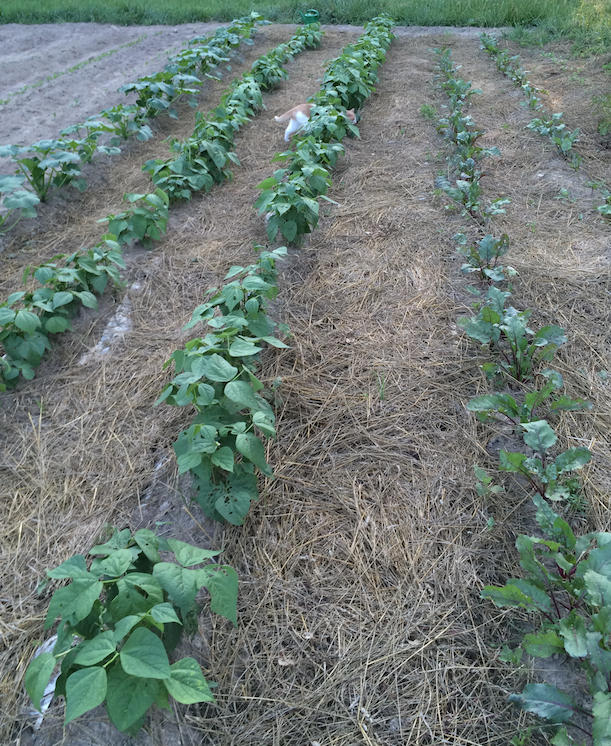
546	124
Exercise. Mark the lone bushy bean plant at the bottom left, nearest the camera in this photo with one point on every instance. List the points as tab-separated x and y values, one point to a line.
121	618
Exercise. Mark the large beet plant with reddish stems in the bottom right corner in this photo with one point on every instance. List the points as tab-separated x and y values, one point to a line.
567	588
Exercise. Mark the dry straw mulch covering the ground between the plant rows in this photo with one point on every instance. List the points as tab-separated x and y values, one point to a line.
360	620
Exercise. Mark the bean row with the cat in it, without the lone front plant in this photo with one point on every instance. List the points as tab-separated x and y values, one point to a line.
216	373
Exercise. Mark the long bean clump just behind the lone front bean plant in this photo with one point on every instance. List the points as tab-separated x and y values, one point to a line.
216	375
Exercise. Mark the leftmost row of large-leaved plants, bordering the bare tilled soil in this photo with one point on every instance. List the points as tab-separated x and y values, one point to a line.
48	165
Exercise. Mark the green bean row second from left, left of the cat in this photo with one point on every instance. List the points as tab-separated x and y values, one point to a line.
27	318
